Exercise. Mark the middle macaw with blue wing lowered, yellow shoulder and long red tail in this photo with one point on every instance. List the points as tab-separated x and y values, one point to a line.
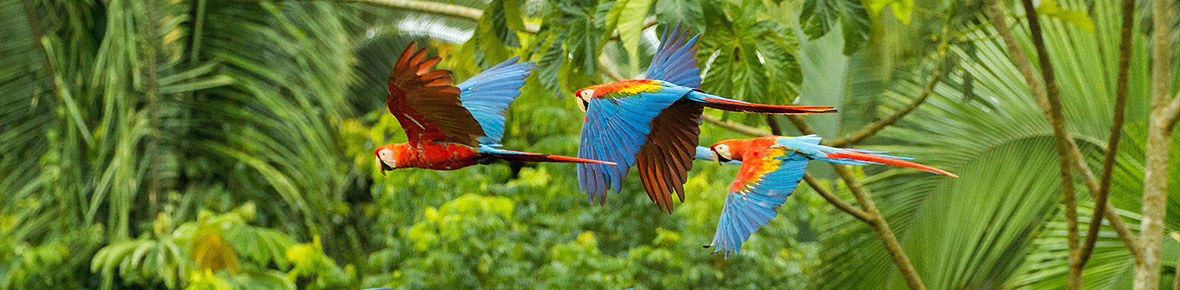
653	124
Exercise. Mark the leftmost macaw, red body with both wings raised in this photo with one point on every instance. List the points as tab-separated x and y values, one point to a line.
453	128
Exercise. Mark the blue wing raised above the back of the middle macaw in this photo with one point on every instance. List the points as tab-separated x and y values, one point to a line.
676	61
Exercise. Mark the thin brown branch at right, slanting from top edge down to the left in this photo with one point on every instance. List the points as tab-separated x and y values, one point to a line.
1109	160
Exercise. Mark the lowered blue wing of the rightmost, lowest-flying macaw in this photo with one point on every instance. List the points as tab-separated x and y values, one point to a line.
751	208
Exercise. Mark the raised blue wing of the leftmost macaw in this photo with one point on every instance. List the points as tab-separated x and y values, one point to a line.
488	95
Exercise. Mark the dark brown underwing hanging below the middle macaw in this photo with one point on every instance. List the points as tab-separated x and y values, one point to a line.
667	157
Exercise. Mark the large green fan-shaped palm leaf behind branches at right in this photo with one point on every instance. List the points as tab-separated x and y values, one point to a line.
979	232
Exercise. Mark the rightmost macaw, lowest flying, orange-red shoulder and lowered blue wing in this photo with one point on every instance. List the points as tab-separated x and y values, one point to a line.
771	168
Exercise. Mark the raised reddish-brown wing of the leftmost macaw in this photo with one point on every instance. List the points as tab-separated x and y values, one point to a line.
427	104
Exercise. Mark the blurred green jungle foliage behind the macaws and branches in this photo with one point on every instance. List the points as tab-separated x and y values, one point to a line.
226	144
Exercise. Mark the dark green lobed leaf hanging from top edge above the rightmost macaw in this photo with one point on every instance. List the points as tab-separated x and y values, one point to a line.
821	17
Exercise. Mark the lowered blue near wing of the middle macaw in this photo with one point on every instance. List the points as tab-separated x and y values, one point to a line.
615	129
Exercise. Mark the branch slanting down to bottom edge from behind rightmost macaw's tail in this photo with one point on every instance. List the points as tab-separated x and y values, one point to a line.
879	221
